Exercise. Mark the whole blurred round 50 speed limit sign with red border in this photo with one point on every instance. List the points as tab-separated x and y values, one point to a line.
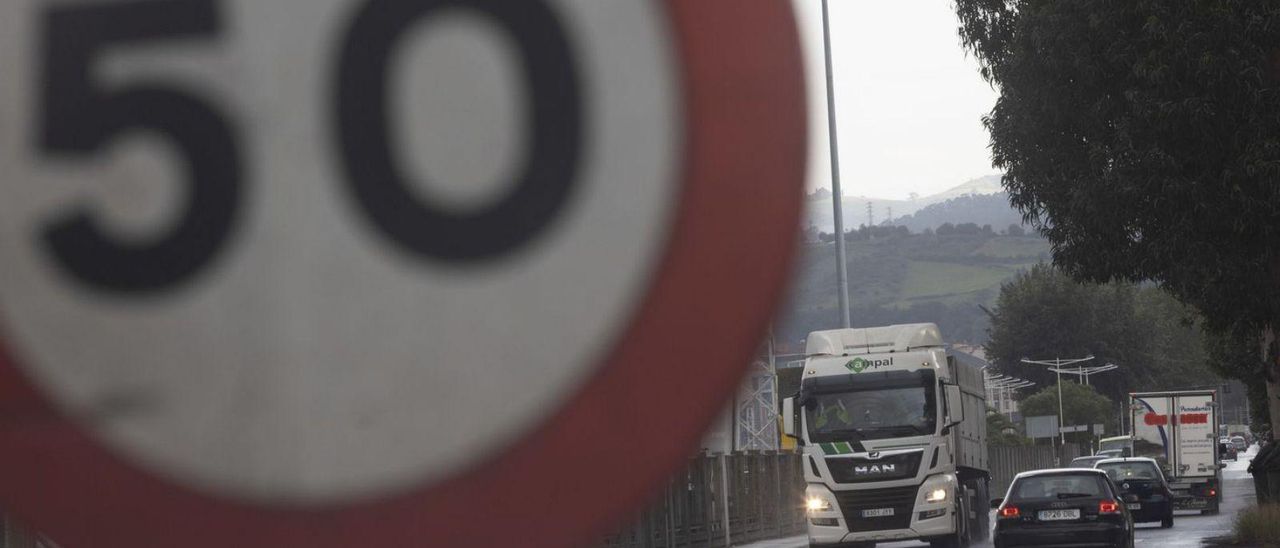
381	272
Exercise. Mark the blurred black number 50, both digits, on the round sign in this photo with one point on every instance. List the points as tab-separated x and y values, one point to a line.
81	118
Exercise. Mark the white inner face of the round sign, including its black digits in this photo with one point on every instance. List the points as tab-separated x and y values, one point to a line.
284	321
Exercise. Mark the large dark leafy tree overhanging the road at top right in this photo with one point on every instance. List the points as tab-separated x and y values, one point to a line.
1144	140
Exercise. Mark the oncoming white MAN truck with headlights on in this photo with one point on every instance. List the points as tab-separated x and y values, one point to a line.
894	436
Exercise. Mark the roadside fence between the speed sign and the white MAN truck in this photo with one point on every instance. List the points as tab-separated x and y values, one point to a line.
724	501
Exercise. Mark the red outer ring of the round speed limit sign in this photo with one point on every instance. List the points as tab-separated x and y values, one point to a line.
601	456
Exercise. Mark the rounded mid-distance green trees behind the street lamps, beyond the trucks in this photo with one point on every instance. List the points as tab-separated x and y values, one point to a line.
1044	314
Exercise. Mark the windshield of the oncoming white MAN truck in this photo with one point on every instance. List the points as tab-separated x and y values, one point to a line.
872	407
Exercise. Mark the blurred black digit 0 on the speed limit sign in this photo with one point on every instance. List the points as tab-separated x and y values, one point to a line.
385	191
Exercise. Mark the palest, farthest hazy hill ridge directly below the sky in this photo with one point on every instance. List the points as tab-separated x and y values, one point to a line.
821	216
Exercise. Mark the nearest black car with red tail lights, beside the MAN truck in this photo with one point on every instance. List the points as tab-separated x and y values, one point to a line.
1064	508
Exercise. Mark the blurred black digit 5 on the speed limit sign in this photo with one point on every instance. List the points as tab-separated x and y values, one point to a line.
81	118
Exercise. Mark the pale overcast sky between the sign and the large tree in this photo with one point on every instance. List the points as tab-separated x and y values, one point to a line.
908	101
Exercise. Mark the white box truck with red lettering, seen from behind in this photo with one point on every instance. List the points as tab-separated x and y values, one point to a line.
1180	430
